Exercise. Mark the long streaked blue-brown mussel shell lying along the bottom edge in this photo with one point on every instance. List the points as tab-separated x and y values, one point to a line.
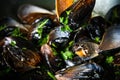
86	71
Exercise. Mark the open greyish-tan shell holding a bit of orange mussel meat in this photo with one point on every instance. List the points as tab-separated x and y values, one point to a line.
86	50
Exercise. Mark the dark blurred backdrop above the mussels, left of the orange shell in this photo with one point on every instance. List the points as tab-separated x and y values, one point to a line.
9	7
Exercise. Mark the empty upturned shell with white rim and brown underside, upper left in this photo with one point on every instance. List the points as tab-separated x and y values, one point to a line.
29	13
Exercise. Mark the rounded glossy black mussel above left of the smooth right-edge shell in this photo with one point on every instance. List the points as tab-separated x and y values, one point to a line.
96	27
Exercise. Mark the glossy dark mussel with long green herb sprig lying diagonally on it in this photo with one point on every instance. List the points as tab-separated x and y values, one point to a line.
34	35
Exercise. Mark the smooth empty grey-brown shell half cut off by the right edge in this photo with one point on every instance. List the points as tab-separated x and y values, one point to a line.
111	38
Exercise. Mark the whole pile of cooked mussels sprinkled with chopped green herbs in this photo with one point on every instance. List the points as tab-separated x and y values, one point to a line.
69	45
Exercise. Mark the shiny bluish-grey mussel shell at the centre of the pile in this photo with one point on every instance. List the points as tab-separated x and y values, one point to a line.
58	37
